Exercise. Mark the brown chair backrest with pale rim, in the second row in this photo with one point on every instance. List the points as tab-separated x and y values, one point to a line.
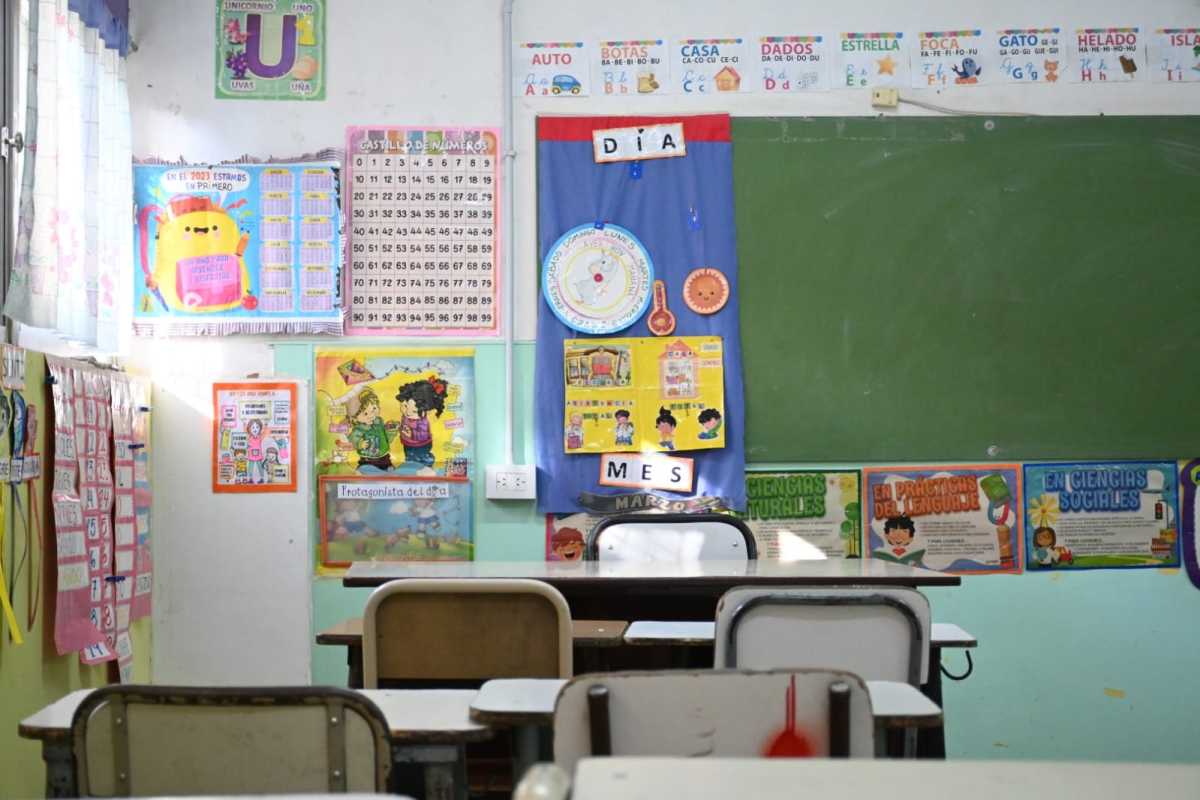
433	629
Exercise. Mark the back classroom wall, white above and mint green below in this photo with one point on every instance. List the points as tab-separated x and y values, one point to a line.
1052	645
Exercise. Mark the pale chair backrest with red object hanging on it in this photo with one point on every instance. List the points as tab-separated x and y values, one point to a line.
713	713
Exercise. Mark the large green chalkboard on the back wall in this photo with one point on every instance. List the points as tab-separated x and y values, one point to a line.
969	288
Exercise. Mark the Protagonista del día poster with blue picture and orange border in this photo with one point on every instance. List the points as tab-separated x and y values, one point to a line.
395	519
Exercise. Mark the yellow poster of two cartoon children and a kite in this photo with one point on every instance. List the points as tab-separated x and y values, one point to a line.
395	412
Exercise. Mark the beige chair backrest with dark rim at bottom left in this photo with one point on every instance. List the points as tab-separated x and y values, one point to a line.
172	741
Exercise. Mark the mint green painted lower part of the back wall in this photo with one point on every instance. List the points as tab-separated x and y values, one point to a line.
1100	665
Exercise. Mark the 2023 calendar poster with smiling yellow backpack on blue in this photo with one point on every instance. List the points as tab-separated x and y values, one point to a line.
238	249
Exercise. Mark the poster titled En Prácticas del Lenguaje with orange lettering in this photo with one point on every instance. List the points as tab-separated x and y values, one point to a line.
963	520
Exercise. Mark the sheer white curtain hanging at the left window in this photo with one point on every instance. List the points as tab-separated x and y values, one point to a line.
75	239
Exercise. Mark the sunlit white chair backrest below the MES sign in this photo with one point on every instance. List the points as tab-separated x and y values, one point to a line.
671	538
